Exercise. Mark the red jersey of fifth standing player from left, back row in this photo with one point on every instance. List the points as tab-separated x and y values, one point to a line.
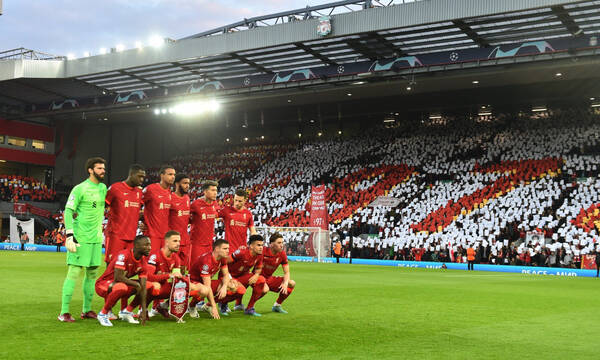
203	222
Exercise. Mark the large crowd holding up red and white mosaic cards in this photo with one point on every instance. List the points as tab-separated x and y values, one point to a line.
459	184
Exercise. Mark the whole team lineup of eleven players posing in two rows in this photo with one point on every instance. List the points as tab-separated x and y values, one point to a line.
165	259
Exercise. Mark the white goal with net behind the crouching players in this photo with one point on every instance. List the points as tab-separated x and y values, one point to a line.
309	242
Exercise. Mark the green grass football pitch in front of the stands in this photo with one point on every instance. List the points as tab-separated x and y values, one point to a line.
336	312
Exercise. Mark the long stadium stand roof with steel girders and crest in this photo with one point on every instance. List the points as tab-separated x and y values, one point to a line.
361	30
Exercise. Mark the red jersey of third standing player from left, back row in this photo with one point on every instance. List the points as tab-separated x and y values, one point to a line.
157	202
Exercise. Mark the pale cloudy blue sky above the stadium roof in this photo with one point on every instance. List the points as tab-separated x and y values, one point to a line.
61	27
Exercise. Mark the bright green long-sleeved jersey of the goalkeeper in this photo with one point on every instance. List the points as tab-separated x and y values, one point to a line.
87	200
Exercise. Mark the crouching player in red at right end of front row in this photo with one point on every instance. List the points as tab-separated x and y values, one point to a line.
273	256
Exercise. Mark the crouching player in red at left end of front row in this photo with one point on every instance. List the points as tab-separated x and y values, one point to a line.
116	282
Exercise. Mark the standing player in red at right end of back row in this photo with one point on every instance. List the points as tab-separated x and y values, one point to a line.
237	220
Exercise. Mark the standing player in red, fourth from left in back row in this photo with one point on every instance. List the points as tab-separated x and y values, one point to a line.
179	217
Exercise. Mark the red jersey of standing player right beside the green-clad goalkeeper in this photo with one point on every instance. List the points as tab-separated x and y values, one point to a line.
124	203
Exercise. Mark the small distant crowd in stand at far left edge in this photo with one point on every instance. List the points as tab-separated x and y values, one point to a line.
15	188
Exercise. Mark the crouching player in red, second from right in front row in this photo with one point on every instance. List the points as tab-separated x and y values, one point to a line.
240	263
